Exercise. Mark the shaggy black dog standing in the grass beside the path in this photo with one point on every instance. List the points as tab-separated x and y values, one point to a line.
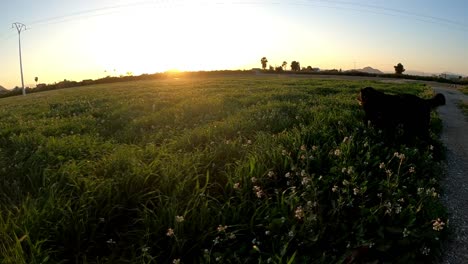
406	111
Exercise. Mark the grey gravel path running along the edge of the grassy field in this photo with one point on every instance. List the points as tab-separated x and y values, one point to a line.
455	185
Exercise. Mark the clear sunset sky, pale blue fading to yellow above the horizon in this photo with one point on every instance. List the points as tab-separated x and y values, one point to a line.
90	39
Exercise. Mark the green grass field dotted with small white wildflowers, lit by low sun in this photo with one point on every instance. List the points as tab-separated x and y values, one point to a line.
213	170
